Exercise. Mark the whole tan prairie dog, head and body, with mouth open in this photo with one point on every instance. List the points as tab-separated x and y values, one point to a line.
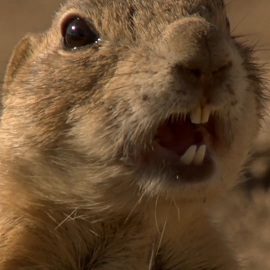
120	125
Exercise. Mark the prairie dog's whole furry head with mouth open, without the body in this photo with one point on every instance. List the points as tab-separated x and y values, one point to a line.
127	99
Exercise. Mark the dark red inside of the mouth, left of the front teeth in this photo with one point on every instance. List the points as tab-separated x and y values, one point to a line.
178	135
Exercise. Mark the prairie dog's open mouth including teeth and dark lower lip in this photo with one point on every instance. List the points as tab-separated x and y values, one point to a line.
185	145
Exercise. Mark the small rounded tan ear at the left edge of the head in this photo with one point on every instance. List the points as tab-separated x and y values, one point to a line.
20	55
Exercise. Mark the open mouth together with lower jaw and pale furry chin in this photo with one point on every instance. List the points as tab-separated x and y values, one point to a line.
194	156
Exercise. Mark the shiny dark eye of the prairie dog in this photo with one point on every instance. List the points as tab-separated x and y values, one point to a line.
77	33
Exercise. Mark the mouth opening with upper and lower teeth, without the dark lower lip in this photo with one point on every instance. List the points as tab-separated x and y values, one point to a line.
188	136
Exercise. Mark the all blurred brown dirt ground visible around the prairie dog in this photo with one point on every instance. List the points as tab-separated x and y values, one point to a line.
245	215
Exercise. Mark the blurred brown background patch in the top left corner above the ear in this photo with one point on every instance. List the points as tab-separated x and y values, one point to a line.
19	17
